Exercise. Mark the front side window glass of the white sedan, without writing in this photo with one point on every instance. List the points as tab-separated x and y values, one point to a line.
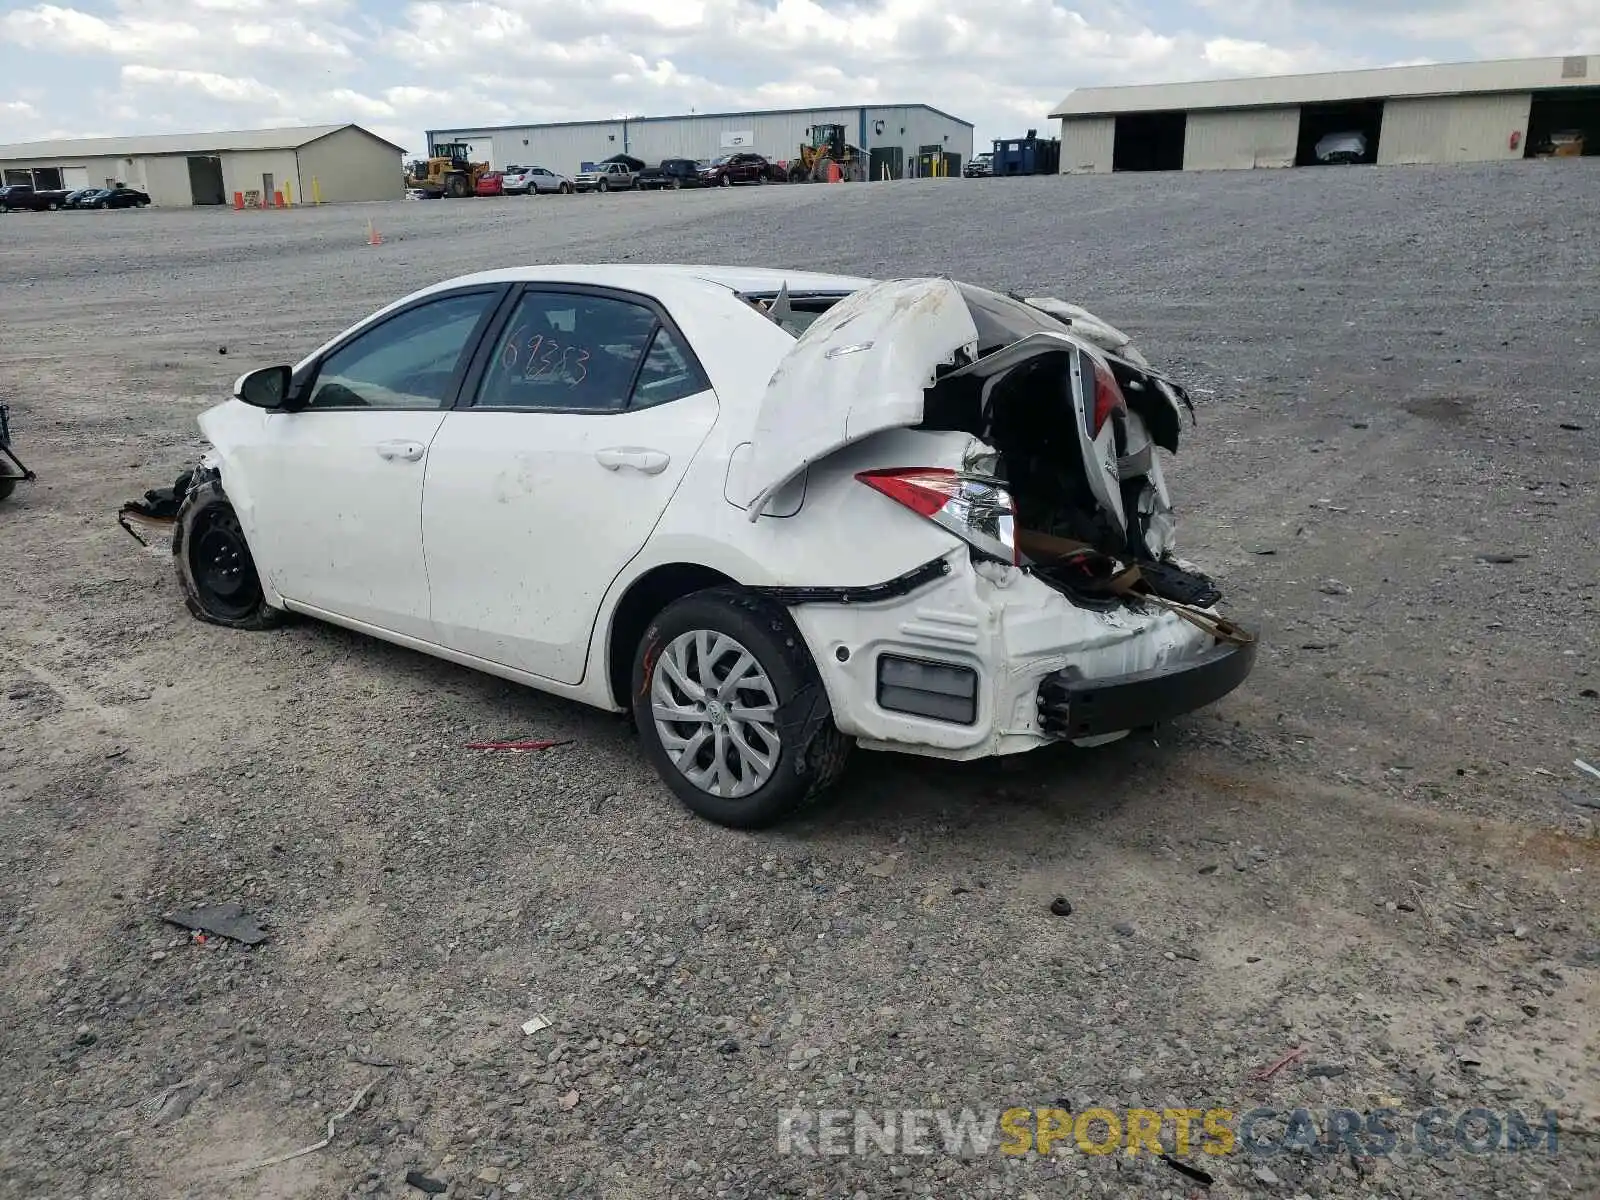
407	362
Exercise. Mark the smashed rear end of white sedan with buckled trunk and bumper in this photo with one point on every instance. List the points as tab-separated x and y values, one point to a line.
1028	431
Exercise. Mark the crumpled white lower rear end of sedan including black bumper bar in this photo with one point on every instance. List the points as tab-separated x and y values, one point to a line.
1046	668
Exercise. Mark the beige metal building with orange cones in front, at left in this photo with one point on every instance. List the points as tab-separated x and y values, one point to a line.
329	162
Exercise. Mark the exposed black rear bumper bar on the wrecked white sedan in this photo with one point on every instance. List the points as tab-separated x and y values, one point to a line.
1073	706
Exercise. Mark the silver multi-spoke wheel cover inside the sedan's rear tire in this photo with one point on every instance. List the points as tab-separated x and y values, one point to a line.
716	713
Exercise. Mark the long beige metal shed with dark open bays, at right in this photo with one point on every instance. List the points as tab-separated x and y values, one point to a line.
1452	113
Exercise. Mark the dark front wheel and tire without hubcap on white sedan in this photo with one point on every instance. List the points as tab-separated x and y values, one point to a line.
215	567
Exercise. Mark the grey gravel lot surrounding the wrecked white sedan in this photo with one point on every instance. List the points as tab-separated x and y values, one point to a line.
1378	852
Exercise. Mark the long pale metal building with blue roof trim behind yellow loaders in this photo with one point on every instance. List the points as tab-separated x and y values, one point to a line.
895	138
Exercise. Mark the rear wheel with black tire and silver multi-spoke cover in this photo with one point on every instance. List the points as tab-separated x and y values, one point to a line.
732	711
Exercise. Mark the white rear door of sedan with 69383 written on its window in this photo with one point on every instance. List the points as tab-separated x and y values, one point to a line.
543	489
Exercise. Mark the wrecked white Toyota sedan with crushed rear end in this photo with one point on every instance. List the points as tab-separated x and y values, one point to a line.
772	514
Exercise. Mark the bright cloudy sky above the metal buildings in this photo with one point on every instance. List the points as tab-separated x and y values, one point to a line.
105	68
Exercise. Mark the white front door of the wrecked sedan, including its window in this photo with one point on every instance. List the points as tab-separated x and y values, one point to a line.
335	489
